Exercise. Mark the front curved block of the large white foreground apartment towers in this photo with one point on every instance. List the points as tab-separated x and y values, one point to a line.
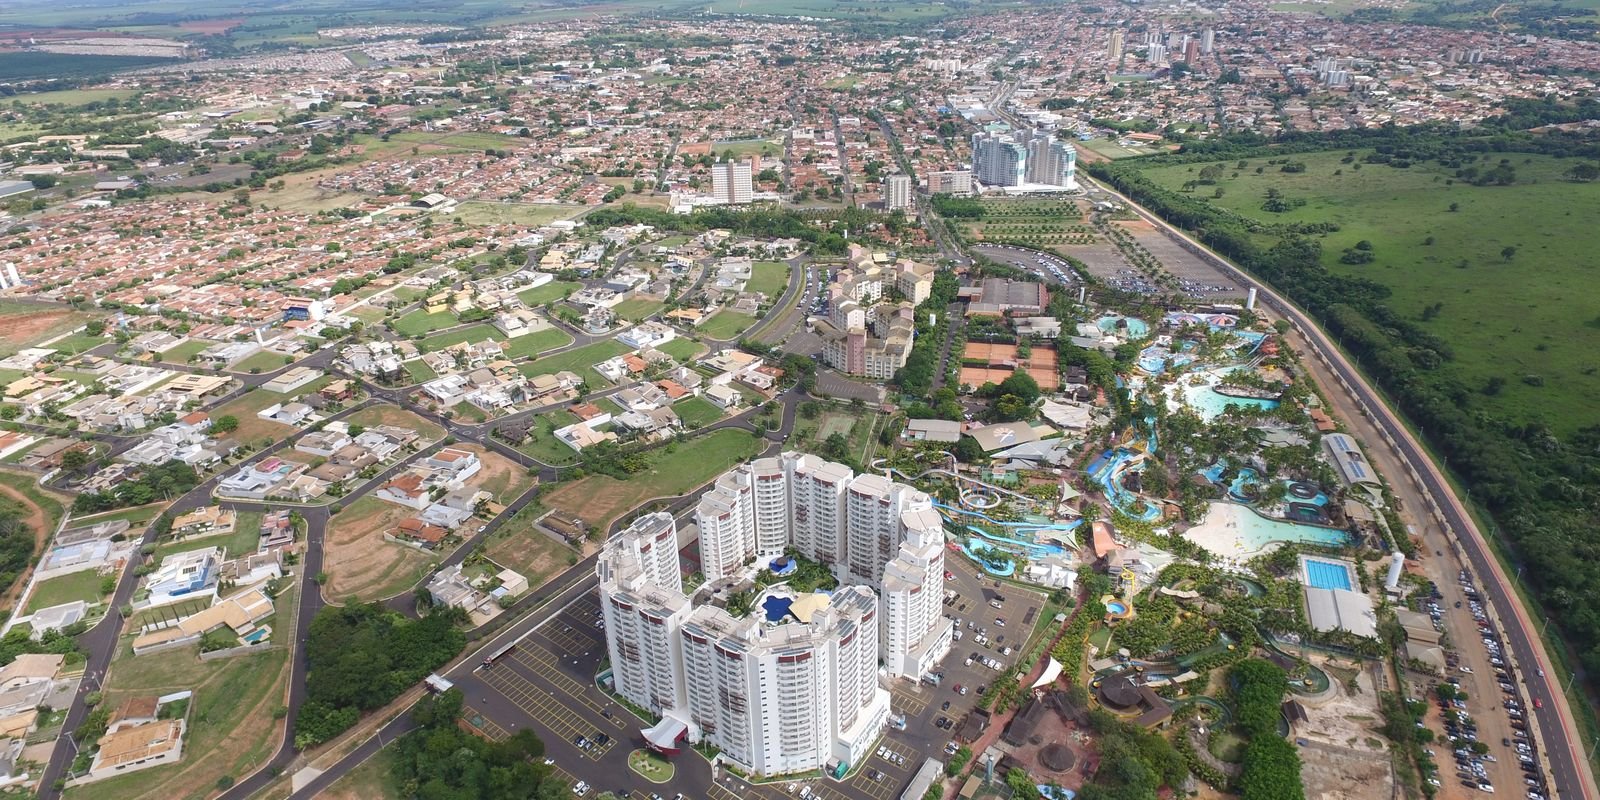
775	698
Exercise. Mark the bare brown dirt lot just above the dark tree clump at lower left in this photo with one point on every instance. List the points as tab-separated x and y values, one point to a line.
358	559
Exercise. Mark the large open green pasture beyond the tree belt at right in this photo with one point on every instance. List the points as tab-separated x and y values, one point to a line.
1527	318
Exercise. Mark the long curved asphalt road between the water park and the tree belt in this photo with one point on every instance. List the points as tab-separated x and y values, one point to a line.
1570	770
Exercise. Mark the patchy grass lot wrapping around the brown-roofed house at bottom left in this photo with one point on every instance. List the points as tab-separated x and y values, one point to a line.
231	716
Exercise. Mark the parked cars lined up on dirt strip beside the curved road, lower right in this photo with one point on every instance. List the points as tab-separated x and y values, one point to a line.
1460	727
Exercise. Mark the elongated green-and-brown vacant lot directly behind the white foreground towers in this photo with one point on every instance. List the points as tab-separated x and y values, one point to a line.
674	470
